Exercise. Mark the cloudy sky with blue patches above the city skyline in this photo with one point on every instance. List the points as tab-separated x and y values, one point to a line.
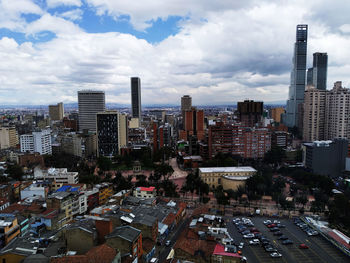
219	52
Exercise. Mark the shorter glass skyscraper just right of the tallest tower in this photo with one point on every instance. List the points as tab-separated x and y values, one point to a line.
319	72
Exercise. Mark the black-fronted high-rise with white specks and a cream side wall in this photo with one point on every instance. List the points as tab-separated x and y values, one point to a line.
111	133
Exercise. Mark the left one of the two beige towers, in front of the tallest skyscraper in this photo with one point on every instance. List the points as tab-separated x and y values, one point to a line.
314	114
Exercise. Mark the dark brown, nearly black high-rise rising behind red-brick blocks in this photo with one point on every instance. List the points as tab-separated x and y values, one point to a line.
250	112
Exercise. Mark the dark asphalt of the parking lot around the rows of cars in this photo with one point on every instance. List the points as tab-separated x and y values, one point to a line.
319	249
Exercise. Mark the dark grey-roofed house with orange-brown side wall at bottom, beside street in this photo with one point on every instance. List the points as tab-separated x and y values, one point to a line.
127	239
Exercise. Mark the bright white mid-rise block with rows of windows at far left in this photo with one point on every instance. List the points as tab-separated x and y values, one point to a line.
38	141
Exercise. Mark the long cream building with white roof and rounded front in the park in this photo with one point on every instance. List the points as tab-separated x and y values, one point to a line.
228	177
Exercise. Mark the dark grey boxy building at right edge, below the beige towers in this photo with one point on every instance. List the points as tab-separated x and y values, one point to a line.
326	157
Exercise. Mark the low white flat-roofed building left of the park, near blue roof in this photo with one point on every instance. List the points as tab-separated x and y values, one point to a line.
59	175
